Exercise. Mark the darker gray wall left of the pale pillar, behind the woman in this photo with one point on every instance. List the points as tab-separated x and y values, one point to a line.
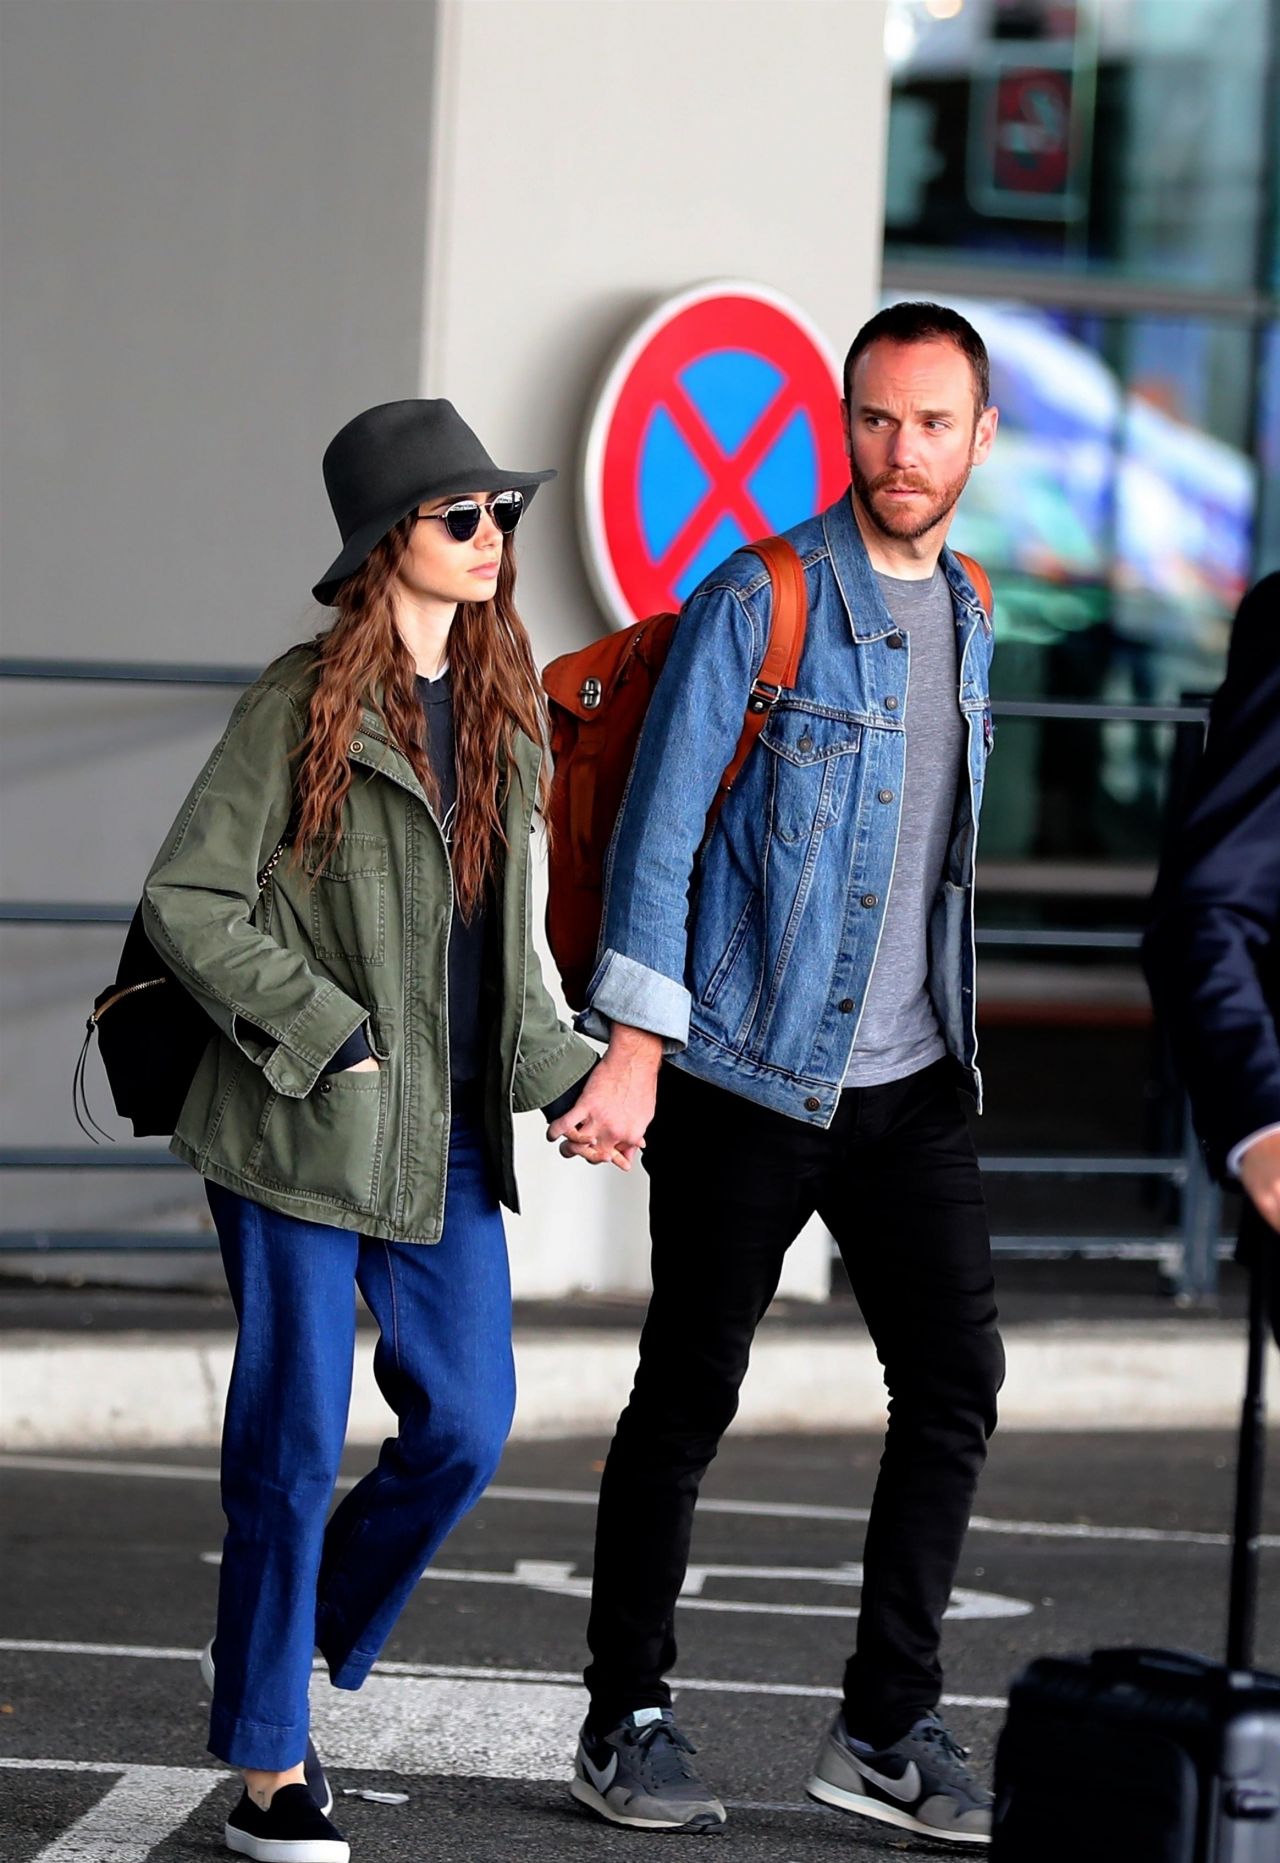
213	221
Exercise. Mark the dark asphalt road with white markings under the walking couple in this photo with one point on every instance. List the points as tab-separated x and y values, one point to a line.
109	1592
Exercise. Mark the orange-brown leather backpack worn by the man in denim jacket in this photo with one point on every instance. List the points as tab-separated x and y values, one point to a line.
599	700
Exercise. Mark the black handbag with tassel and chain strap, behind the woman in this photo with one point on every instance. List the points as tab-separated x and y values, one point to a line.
152	1035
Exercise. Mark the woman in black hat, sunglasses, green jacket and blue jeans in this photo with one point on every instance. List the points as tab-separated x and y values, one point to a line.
381	1018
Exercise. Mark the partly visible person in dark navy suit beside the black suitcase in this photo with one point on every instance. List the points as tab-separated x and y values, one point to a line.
1212	951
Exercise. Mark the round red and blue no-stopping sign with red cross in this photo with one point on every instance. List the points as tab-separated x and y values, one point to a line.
718	424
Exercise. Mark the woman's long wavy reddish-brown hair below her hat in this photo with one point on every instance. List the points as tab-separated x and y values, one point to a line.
497	692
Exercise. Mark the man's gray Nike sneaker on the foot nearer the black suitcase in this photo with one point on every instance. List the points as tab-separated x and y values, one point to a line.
921	1784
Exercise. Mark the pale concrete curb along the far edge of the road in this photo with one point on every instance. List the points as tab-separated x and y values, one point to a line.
139	1391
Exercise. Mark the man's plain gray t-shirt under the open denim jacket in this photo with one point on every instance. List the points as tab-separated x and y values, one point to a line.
899	1031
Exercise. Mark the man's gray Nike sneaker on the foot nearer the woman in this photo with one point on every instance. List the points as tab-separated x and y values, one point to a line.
640	1776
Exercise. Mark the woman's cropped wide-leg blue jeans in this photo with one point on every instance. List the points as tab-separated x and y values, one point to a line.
444	1365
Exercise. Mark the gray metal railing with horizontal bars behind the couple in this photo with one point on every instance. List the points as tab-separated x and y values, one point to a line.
1191	1253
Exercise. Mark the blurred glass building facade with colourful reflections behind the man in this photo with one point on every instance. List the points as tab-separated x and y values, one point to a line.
1096	185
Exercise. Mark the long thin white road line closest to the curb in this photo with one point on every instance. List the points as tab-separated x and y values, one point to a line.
1139	1536
